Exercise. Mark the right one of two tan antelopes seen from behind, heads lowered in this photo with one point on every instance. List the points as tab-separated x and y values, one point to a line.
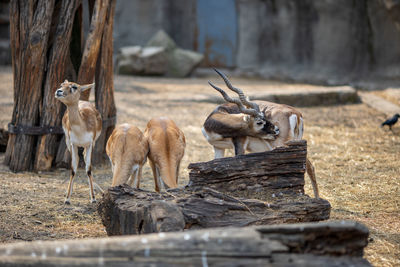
167	147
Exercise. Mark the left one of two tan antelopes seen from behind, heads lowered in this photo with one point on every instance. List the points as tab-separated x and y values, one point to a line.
127	149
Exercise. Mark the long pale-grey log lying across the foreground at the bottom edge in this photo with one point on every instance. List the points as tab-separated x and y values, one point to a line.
317	244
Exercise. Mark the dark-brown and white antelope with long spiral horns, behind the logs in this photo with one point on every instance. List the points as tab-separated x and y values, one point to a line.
225	128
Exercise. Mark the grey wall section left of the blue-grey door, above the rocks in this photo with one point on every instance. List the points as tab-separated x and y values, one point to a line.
136	21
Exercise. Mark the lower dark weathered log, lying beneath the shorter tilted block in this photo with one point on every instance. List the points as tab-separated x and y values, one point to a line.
125	210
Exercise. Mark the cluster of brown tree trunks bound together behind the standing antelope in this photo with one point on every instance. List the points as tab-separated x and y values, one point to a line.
47	48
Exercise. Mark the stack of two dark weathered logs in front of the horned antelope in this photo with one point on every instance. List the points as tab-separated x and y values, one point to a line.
275	178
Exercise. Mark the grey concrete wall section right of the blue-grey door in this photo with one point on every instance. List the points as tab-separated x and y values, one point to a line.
332	41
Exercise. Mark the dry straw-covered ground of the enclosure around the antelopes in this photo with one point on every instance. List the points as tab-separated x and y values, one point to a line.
356	161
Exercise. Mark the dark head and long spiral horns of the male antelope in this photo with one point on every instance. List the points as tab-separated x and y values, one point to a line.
259	126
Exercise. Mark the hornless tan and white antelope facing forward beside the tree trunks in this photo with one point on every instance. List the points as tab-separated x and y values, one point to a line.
82	126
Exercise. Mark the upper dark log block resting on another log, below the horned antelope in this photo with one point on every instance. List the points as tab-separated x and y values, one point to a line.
280	170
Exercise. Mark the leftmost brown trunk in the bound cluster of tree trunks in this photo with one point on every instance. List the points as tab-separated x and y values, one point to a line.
29	57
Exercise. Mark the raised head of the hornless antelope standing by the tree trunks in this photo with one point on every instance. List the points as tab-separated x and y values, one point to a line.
70	92
